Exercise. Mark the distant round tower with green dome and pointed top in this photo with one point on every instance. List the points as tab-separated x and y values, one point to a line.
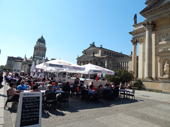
39	49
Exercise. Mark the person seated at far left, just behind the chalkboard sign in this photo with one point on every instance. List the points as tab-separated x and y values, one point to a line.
13	95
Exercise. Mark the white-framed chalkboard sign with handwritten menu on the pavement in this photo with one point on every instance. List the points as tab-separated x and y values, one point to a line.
29	110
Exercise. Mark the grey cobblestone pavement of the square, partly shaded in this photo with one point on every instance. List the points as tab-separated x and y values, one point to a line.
144	111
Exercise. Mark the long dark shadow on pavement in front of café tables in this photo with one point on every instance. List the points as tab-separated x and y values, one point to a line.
75	104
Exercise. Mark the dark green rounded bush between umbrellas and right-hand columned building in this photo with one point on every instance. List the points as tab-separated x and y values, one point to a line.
120	76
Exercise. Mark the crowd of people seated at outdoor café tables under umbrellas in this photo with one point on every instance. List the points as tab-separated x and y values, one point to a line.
18	83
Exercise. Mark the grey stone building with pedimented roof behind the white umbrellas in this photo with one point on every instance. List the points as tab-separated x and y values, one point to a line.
105	58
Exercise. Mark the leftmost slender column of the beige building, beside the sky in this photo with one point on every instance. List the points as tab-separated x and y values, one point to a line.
134	58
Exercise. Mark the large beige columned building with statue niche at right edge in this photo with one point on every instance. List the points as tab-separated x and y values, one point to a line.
153	38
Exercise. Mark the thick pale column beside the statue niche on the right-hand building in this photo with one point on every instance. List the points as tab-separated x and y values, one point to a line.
148	50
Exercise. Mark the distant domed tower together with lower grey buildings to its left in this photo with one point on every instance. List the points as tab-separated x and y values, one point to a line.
18	64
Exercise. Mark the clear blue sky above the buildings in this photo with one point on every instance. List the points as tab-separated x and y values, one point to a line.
68	26
